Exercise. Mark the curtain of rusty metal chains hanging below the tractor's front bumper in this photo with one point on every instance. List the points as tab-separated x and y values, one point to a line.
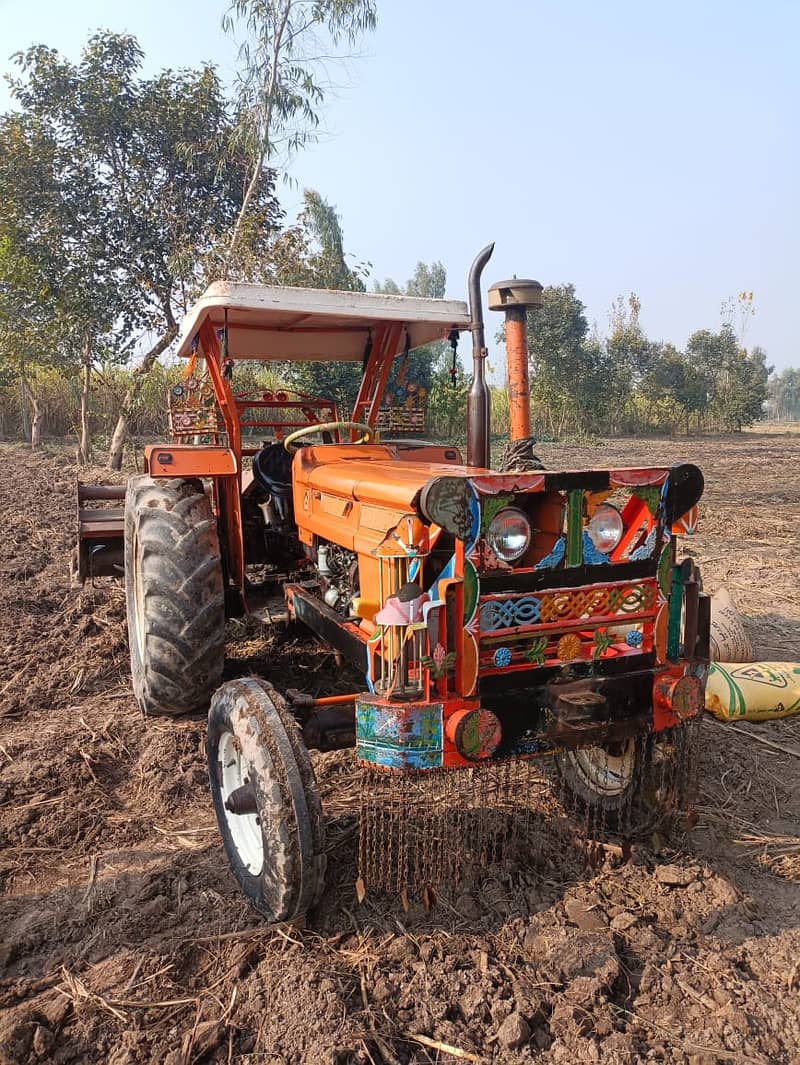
430	829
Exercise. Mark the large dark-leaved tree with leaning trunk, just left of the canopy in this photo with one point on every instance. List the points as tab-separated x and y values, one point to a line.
160	186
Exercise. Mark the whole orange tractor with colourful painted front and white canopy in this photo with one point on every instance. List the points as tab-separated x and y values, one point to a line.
496	616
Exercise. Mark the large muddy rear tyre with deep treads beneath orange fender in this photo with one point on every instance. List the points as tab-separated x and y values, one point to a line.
175	596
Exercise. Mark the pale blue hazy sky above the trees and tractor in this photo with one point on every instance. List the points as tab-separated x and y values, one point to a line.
623	146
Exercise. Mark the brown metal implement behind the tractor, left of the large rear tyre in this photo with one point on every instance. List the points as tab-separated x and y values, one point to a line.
101	533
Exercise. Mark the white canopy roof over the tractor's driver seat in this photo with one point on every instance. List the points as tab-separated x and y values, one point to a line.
315	324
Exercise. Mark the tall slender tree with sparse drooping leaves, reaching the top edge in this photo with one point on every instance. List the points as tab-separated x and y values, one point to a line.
280	87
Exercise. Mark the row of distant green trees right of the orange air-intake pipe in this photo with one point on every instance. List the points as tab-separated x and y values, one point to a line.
625	383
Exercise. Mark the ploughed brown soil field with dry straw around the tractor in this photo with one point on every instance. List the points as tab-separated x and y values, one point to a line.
124	940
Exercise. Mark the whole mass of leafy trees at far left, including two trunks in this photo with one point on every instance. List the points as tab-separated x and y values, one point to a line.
117	192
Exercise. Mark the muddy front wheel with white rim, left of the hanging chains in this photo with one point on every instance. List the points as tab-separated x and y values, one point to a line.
267	800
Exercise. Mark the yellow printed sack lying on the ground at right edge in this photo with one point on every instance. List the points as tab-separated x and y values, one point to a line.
754	692
